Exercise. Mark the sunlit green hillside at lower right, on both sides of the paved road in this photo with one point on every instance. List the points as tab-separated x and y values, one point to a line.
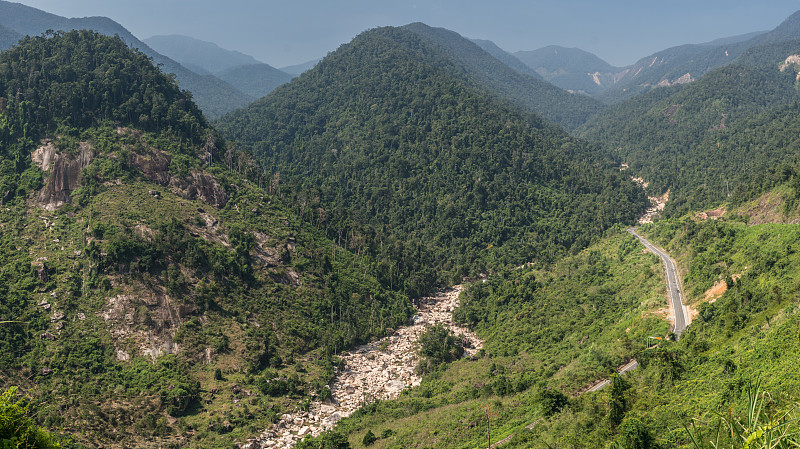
550	332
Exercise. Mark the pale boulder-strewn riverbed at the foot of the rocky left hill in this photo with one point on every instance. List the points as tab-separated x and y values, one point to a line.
378	370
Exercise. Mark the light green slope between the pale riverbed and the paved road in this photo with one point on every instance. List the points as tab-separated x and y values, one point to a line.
537	342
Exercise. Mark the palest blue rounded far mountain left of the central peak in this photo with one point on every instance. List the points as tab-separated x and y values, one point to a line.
192	52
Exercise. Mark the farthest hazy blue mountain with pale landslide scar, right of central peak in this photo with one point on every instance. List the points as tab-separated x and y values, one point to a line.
571	68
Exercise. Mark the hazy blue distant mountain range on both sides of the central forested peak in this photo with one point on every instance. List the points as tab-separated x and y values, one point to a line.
222	80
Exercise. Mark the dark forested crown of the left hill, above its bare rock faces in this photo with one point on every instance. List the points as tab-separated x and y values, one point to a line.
82	78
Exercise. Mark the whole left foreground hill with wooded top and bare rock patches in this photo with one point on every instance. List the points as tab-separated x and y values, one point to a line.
149	284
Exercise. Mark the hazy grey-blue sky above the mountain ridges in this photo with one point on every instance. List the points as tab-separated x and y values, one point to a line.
289	32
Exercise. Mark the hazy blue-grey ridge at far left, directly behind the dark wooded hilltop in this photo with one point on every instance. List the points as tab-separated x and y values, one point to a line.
214	96
